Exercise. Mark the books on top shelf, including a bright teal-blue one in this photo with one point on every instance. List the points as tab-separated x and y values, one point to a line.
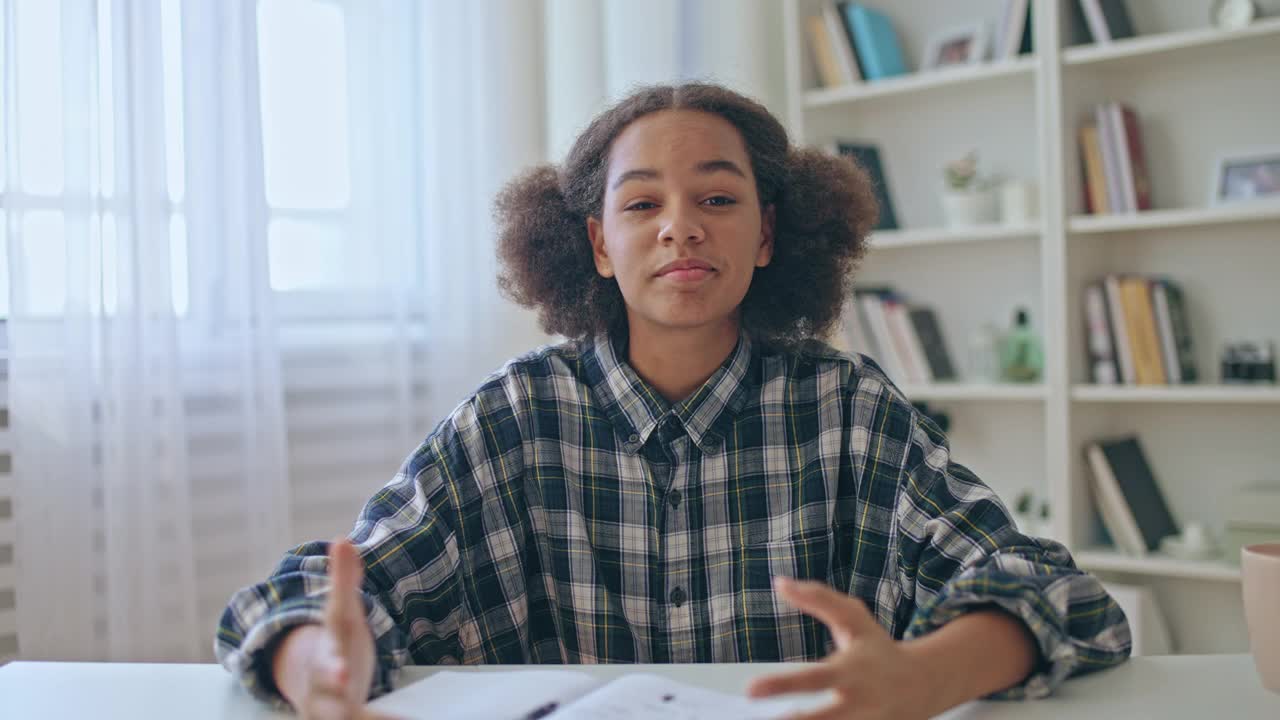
853	43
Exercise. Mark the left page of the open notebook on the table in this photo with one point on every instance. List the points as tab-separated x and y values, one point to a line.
525	695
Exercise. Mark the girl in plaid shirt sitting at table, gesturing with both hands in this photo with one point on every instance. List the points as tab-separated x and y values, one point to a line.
693	477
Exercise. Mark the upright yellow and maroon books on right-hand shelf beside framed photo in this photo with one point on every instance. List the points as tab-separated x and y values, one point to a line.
1116	167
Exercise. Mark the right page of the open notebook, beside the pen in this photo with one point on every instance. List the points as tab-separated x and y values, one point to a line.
644	698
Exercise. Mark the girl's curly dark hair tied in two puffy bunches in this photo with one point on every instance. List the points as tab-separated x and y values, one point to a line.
825	208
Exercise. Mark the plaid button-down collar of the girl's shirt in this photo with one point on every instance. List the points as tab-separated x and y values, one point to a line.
636	408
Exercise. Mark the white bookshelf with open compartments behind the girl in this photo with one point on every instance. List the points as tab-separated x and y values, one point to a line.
1199	93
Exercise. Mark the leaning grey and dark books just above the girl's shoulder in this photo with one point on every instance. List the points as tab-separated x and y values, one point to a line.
907	341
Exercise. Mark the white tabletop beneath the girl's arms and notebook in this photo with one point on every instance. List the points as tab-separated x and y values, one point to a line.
1173	687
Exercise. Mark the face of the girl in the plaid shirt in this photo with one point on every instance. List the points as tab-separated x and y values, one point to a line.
682	229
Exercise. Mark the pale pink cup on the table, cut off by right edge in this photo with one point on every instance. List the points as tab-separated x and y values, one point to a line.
1260	567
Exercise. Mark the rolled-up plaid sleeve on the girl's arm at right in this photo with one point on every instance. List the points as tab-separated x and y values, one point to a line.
961	550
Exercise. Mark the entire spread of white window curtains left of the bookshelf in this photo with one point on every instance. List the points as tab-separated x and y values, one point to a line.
250	265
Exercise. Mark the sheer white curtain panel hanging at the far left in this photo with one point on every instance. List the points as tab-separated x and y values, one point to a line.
135	231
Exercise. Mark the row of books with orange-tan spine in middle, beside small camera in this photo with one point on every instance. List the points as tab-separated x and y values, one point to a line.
1137	332
